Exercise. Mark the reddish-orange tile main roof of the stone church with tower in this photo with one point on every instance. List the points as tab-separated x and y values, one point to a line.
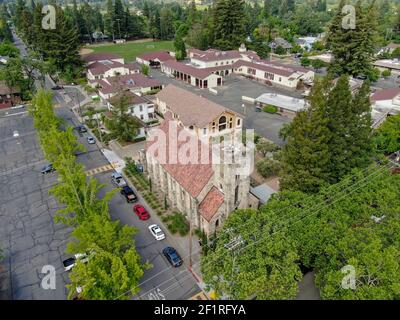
192	177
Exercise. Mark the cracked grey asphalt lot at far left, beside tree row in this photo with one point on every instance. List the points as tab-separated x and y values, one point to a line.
28	235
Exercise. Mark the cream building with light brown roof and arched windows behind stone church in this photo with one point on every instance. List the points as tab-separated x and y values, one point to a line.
197	114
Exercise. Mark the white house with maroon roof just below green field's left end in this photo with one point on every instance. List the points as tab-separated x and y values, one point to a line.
105	65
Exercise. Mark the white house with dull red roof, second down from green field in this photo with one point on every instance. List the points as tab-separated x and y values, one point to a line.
136	83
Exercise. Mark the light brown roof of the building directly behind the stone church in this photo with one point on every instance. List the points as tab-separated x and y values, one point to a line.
191	108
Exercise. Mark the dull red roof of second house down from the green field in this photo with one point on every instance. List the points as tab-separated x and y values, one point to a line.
128	81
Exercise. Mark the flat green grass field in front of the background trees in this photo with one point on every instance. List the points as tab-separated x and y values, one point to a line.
130	50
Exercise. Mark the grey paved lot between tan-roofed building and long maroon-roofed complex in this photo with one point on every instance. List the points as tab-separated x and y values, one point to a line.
230	96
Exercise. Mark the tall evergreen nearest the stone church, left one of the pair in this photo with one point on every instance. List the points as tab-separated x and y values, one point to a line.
305	157
